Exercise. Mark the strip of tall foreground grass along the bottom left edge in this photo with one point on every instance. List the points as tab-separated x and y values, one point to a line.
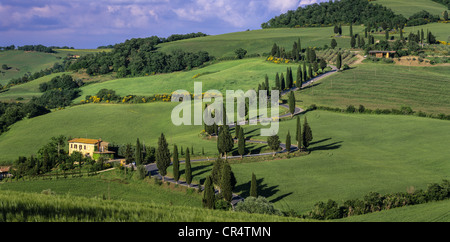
69	208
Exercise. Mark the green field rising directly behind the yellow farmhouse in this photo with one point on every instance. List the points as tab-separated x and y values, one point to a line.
115	123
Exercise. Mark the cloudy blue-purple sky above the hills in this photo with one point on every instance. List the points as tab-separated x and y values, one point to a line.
89	24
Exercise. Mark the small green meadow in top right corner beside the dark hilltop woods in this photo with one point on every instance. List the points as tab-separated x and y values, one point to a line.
408	8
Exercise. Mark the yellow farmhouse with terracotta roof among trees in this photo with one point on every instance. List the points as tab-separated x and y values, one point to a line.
93	148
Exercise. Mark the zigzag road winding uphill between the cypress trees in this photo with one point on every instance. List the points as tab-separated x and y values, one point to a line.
153	170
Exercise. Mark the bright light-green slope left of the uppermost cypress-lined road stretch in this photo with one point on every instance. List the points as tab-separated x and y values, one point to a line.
243	75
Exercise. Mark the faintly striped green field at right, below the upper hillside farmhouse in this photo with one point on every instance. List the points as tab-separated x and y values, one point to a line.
383	86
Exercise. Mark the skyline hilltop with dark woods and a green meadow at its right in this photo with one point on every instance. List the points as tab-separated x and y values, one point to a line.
392	14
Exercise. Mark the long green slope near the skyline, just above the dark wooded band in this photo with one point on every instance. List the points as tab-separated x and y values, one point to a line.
261	41
